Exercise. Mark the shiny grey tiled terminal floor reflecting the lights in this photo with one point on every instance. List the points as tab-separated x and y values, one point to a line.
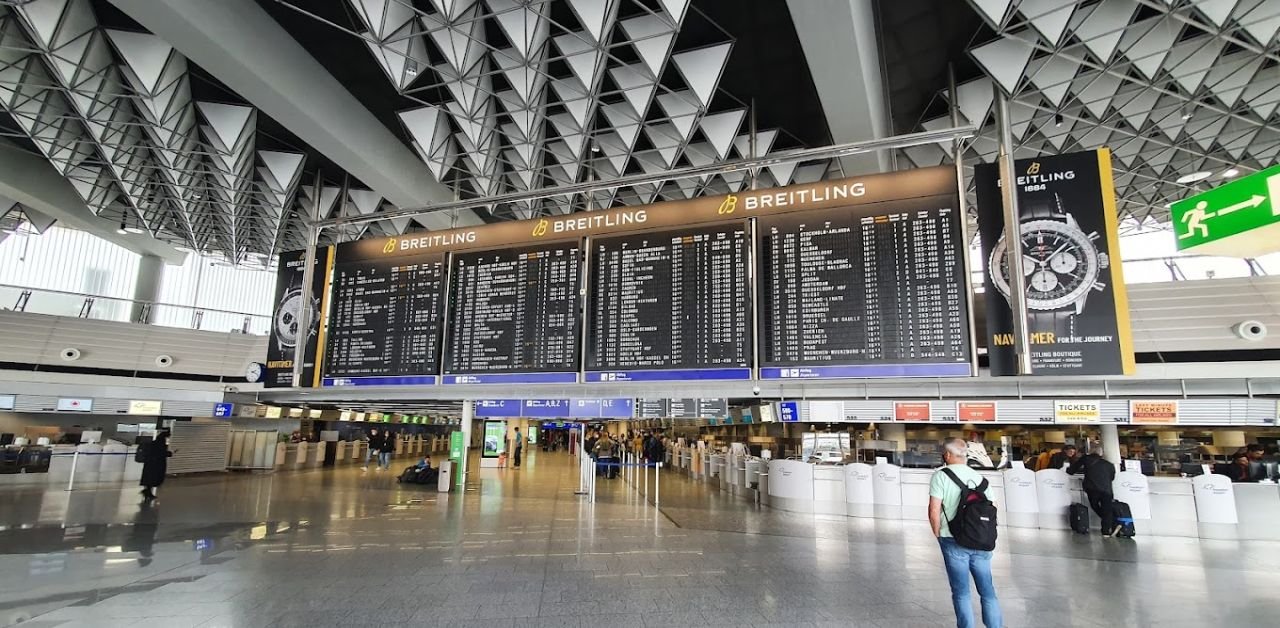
520	548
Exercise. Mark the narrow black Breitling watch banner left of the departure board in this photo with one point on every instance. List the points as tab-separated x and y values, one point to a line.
285	324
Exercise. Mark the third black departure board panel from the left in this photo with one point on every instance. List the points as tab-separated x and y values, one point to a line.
671	306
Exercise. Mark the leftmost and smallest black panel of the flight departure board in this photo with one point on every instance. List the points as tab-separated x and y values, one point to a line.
386	320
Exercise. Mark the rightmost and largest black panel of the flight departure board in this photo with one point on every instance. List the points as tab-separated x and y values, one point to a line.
876	291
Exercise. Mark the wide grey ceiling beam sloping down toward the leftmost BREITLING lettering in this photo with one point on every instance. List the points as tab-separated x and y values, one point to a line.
245	48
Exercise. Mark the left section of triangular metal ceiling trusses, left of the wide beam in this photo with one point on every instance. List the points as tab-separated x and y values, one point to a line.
113	112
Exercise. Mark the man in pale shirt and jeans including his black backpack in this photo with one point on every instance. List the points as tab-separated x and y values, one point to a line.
964	522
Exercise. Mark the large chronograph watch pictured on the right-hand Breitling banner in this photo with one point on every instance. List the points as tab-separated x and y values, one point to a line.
1062	264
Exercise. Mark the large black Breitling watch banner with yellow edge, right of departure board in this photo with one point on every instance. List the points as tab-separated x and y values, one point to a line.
1078	311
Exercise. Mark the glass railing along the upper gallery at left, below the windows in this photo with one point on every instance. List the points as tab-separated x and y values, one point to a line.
113	309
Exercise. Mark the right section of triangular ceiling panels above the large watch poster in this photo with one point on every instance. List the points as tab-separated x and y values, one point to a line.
1173	88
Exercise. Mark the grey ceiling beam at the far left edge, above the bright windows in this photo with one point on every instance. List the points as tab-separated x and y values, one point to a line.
33	181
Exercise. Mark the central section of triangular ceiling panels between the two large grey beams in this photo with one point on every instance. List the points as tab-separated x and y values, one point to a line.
520	95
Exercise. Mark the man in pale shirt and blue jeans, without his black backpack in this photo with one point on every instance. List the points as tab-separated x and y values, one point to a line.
962	562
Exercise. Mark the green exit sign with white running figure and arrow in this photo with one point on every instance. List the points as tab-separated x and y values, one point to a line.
1241	219
